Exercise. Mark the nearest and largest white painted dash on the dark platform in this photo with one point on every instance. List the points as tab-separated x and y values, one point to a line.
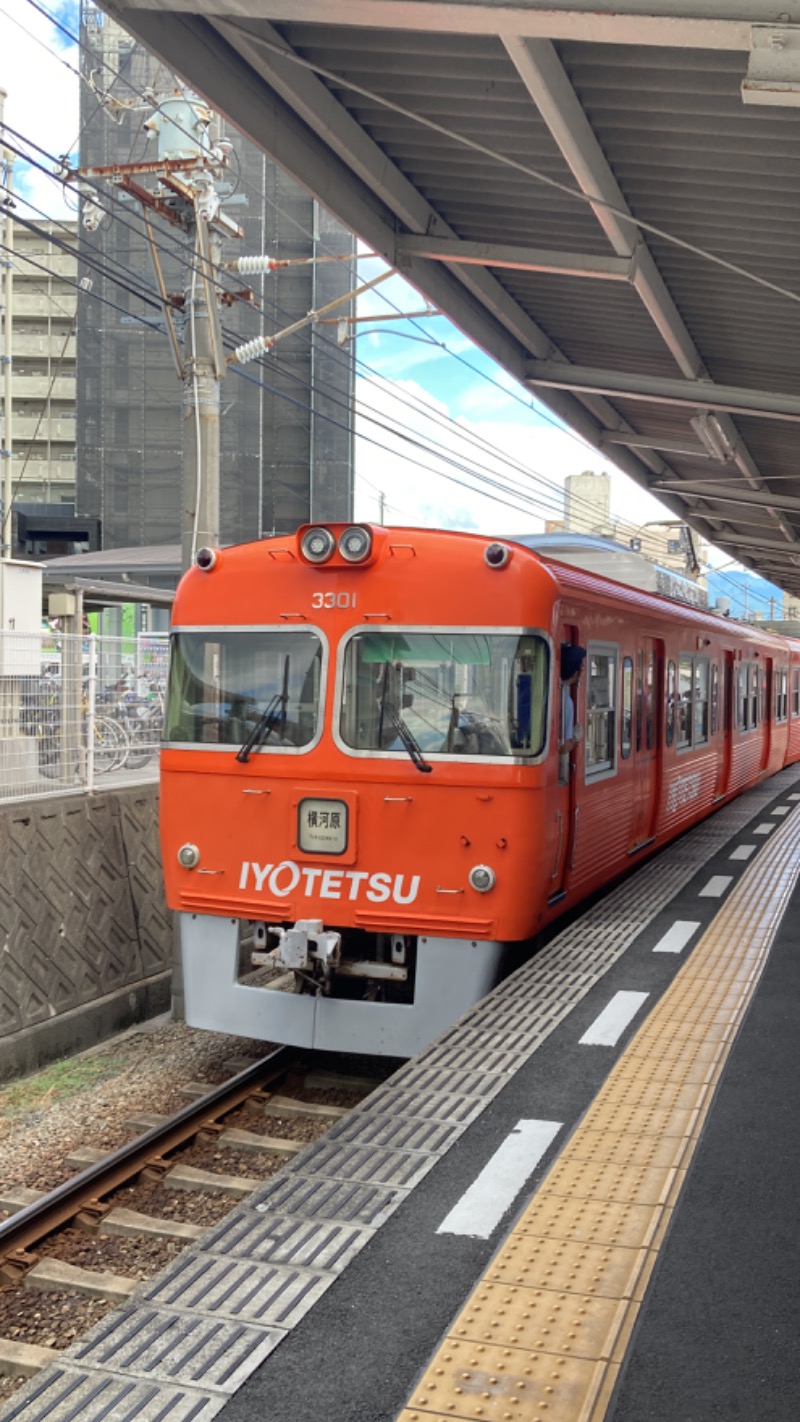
482	1208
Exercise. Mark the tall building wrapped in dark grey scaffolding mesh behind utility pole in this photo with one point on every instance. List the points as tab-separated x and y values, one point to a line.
286	422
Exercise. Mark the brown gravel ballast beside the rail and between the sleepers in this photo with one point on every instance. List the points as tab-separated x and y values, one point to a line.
48	1116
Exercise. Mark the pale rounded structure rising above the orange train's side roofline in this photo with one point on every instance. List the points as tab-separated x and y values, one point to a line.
612	560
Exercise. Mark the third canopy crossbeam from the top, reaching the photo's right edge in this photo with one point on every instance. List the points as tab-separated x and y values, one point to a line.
697	395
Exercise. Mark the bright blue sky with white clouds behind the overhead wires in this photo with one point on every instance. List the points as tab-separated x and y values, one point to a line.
438	420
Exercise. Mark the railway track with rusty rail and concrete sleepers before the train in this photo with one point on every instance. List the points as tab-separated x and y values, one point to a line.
35	1241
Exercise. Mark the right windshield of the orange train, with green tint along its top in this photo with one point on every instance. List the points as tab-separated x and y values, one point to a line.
458	695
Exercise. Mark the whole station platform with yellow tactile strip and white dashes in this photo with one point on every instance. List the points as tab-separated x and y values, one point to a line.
579	1204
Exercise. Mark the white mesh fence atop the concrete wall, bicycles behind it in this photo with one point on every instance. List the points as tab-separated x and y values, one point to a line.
77	713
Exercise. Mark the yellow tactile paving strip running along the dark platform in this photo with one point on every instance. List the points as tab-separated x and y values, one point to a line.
544	1335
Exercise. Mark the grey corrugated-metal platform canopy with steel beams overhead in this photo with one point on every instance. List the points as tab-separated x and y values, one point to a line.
606	197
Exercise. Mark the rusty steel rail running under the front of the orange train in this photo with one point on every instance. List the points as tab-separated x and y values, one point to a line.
32	1224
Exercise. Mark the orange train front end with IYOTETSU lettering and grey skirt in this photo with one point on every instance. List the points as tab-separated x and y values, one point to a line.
357	729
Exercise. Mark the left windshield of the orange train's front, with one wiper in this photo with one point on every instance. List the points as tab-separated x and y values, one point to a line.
252	688
